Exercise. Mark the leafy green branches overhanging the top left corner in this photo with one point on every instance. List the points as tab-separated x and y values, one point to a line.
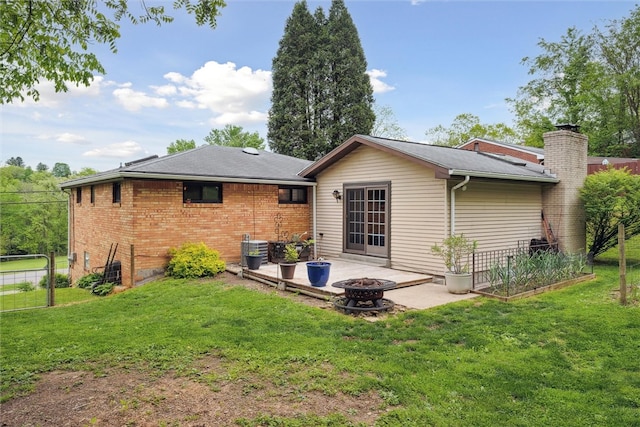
50	40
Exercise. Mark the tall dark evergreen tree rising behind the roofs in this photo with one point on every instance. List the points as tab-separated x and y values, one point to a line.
321	92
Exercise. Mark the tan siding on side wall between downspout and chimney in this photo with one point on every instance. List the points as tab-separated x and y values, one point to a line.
498	214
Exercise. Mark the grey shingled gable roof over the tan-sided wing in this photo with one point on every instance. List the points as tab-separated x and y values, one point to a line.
446	161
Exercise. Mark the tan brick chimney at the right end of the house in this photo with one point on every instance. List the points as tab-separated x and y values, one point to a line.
565	154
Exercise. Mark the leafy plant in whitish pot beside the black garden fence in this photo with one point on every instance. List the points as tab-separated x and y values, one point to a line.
455	251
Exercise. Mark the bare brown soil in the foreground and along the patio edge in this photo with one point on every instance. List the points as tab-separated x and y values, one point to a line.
136	398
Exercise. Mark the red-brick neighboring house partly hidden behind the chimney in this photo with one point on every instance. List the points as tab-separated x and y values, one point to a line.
534	154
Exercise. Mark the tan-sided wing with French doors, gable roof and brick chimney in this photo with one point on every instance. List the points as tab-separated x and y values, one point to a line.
389	201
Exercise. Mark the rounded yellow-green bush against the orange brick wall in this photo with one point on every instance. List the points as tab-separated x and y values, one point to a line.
194	260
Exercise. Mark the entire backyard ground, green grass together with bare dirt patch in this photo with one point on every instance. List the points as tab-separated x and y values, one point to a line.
231	352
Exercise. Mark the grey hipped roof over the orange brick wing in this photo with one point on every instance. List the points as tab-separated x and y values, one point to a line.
208	163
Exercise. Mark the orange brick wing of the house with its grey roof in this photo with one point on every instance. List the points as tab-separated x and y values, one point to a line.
212	194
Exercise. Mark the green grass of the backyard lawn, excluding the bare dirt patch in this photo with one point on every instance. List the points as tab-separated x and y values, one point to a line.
564	358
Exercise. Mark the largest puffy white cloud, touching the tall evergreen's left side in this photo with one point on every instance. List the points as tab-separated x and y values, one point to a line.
234	95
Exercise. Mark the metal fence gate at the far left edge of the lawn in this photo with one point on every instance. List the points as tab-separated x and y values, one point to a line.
21	282
